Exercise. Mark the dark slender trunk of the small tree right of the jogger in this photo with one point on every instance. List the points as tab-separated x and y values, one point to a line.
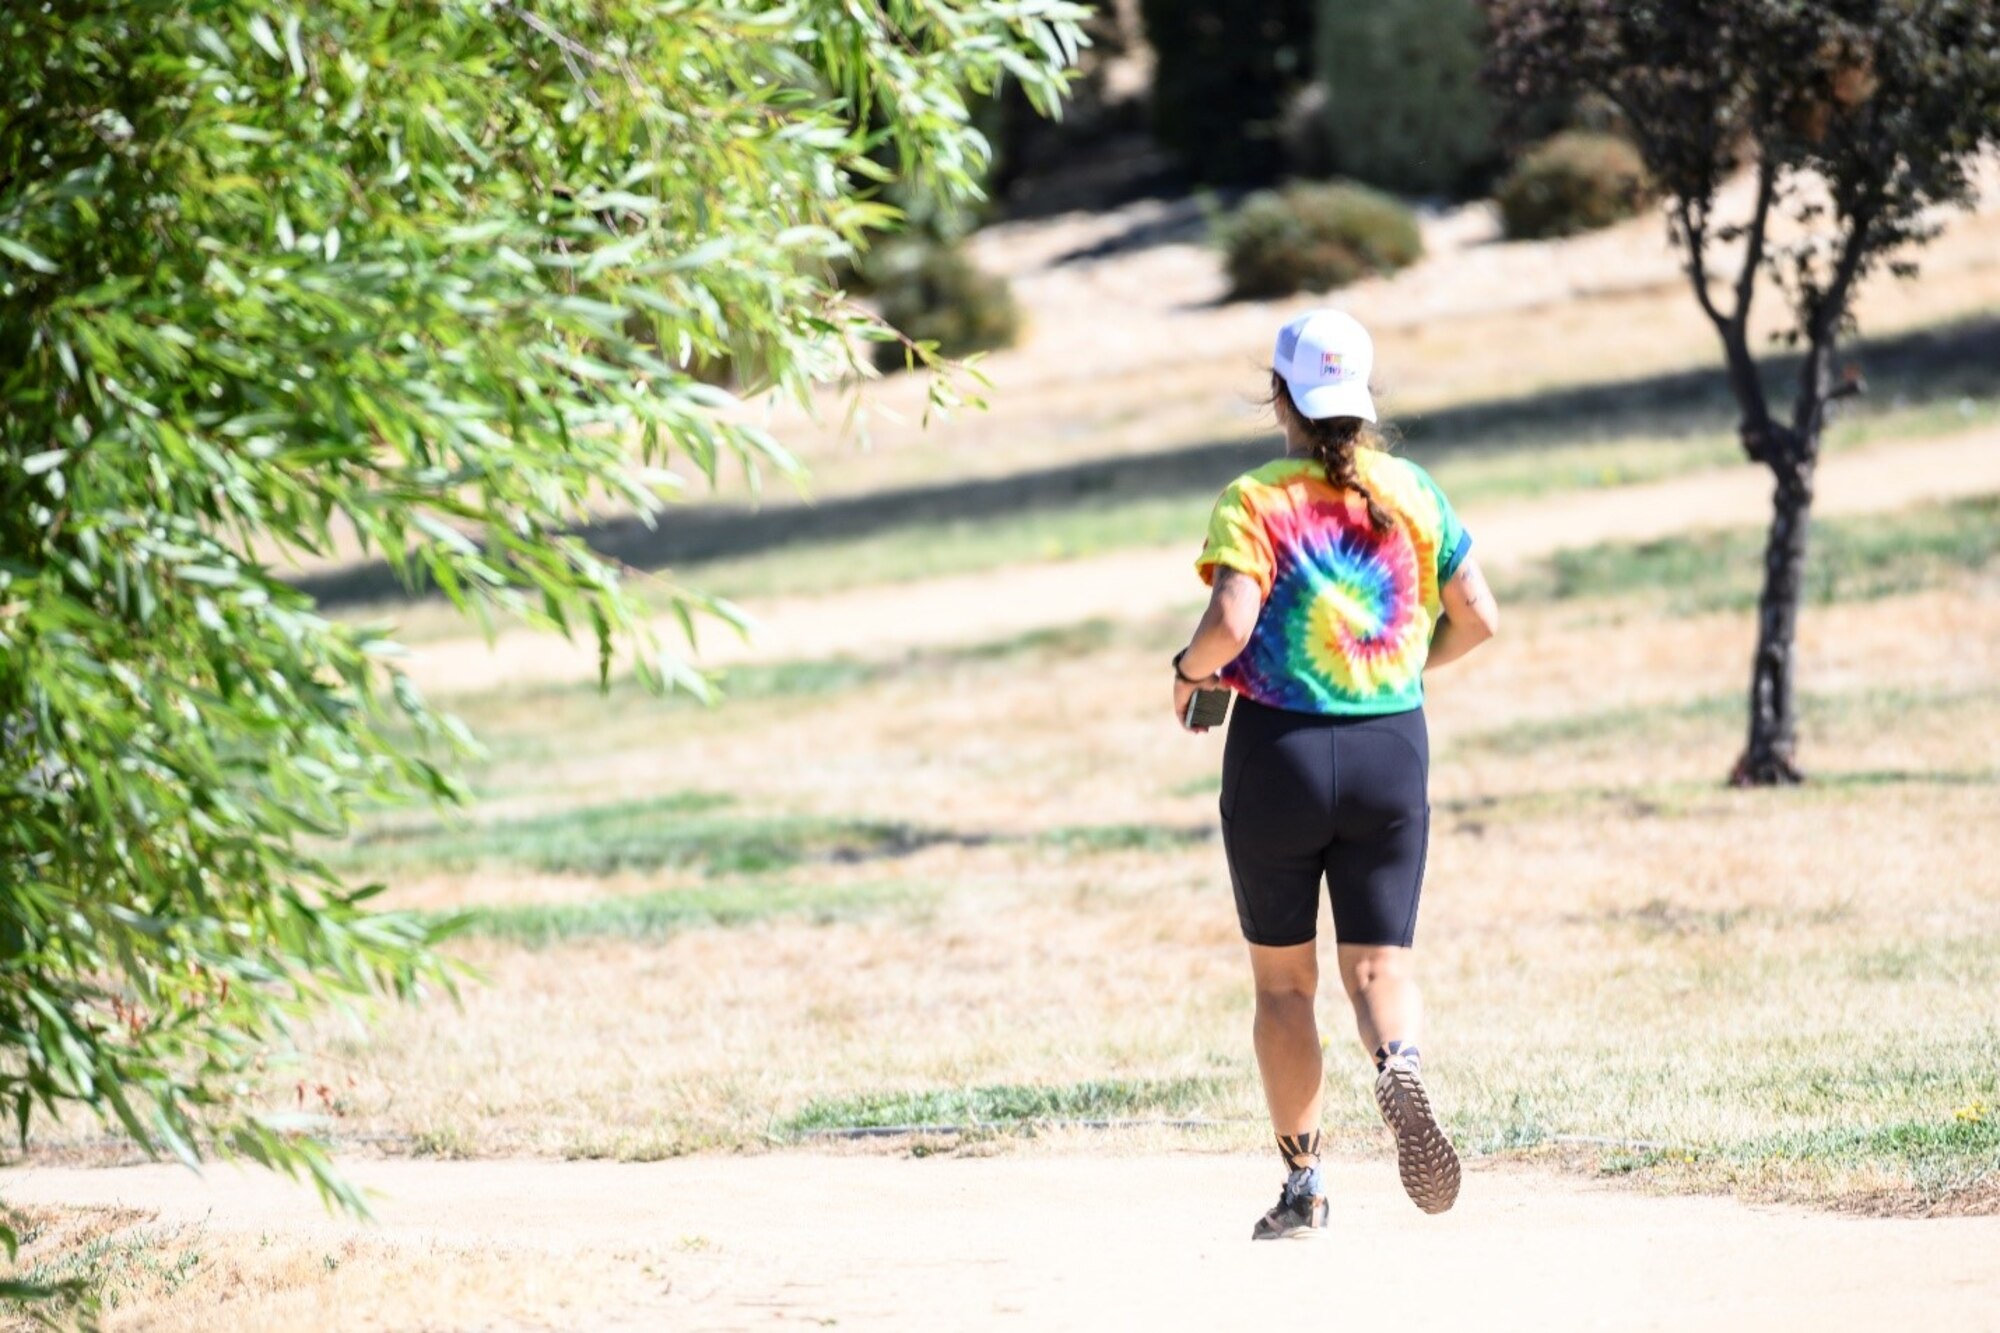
1771	756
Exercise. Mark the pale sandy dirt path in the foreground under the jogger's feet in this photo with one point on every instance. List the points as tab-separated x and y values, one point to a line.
1113	1244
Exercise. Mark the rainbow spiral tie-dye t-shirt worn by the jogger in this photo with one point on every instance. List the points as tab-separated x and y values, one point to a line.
1347	611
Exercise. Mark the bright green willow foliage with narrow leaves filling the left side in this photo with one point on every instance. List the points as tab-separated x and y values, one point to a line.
281	279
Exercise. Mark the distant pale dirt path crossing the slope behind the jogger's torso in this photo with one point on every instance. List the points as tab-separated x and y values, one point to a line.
1135	583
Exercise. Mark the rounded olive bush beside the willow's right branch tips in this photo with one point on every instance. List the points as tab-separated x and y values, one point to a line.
935	293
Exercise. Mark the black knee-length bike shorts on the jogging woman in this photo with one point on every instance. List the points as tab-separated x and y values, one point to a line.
1337	798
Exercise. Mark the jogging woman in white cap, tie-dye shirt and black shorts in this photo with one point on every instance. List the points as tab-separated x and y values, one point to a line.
1339	575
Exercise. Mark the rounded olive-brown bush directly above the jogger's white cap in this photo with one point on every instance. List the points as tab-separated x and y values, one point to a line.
1315	237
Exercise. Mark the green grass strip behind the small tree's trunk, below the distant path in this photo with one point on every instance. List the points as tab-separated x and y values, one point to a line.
1849	559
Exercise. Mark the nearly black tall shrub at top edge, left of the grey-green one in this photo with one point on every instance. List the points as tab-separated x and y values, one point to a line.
1221	83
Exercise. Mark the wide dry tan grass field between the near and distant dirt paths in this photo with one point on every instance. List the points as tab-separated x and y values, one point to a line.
1615	946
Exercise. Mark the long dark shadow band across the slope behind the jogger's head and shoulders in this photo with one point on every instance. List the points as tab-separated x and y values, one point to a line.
1919	369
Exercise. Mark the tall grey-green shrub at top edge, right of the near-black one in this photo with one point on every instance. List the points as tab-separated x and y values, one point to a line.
1405	103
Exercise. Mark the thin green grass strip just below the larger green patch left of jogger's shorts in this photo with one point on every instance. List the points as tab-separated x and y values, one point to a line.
659	916
